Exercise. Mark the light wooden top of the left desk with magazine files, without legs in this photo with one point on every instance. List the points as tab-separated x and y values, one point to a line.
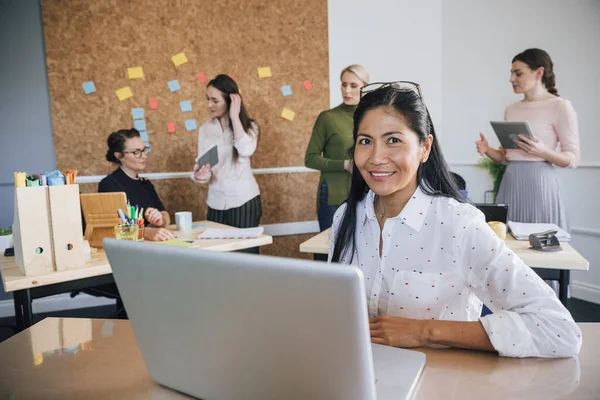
13	279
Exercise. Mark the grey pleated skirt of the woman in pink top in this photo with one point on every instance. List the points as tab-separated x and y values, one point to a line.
532	191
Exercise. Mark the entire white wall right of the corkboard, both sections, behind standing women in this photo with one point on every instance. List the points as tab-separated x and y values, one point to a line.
460	53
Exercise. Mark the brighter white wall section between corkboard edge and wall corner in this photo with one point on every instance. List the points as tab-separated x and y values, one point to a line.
393	39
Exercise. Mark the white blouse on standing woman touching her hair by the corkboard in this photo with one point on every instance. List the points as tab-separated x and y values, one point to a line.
232	184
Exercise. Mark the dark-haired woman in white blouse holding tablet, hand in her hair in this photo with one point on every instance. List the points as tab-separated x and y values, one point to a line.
233	194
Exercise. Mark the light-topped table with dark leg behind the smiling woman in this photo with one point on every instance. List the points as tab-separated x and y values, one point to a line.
555	266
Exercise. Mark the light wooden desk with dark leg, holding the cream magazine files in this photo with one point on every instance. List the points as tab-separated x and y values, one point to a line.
96	272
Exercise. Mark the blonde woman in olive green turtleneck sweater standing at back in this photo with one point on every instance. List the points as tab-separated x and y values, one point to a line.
327	149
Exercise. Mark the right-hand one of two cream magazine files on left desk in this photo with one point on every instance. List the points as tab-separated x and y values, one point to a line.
67	230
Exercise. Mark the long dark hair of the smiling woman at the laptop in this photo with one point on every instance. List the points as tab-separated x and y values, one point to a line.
433	176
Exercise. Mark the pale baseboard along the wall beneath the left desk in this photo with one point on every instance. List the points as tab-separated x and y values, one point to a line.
57	303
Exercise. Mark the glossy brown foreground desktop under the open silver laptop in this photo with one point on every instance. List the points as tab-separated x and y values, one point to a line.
99	359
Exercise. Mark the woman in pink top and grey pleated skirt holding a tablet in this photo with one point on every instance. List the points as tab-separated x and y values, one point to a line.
530	184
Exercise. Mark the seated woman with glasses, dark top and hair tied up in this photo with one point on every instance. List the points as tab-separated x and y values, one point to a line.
127	150
